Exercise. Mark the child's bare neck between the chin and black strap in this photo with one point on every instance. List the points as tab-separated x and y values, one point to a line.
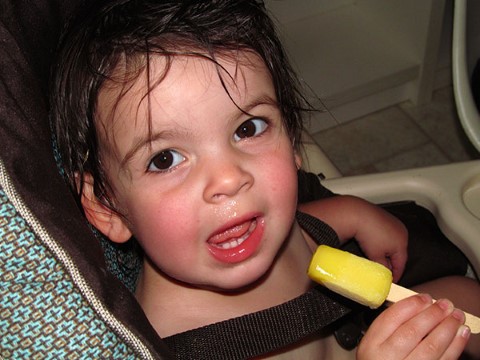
173	307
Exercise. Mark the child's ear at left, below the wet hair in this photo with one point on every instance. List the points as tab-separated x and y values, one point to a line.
106	220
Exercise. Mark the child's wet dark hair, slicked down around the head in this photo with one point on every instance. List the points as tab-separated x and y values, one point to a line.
127	32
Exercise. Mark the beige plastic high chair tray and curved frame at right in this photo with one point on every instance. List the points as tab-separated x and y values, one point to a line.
451	192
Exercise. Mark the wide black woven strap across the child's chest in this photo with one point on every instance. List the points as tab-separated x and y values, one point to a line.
260	332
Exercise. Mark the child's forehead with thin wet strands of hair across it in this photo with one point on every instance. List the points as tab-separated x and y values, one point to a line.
176	83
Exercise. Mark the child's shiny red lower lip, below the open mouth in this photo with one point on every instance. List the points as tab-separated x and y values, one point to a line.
242	251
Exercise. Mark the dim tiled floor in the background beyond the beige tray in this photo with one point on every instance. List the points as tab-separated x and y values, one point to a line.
399	137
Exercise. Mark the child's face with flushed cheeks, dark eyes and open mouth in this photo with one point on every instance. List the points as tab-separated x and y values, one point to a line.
211	194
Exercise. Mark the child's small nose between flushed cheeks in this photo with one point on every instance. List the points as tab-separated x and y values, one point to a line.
226	177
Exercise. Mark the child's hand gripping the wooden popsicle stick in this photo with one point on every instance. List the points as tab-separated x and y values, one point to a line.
416	328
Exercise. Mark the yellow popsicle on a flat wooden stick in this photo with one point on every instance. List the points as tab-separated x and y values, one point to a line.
362	280
